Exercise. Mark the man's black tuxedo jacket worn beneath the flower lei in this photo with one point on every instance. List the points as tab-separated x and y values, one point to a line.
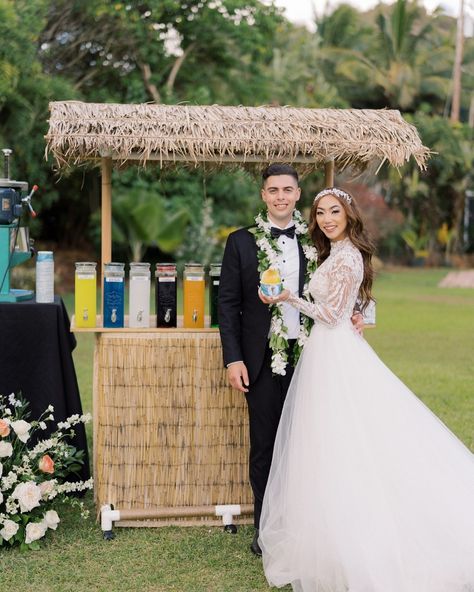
244	320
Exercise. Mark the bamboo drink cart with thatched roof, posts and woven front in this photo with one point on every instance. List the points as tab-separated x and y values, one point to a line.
170	438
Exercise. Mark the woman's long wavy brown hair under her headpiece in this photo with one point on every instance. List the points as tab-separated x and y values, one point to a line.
358	236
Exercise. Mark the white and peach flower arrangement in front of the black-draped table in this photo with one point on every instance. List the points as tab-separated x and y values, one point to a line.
33	478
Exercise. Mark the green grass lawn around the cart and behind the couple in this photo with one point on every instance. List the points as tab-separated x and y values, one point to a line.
424	334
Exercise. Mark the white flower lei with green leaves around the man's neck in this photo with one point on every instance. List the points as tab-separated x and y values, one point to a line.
268	256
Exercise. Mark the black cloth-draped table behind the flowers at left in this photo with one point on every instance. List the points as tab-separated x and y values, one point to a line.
36	348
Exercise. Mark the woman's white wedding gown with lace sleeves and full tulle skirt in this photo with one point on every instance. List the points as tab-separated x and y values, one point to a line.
368	491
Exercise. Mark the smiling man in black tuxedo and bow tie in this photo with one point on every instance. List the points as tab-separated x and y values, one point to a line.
244	322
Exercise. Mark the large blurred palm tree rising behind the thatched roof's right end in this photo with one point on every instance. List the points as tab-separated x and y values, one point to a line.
405	62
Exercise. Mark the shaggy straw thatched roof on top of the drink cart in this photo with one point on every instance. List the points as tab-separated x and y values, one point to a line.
80	132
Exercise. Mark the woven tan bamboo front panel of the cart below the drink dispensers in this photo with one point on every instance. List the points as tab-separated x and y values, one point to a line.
168	431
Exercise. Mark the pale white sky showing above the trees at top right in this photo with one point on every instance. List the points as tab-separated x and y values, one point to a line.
301	11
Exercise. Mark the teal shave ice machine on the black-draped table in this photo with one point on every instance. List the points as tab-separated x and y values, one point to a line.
14	241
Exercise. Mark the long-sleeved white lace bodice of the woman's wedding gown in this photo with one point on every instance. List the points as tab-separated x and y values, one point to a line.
334	286
